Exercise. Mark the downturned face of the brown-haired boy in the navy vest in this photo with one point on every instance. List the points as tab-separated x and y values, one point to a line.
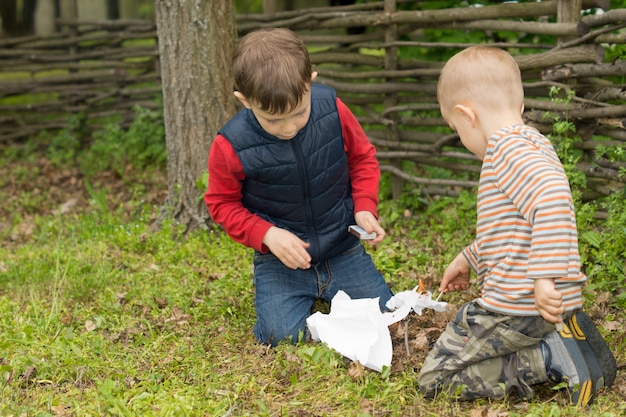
283	125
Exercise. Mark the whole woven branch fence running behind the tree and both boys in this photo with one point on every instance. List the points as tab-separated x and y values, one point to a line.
104	68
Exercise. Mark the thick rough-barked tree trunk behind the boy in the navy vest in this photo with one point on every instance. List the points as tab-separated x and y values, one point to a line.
196	42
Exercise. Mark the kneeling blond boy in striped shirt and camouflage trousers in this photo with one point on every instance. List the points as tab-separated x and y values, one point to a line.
525	254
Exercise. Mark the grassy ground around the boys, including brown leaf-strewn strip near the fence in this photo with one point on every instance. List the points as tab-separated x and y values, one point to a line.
99	316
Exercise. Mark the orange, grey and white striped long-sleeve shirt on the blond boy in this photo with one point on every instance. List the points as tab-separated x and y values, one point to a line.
526	225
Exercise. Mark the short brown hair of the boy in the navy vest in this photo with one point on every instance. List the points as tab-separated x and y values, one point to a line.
272	69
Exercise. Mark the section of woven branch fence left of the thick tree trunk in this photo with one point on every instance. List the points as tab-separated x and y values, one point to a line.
90	69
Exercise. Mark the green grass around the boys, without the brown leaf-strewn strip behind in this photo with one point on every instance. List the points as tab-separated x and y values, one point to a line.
99	316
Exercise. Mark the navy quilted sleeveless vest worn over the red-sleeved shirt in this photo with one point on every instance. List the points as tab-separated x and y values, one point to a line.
302	184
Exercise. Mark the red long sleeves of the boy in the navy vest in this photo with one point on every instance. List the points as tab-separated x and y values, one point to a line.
224	195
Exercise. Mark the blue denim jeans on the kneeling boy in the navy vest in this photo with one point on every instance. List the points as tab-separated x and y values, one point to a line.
284	297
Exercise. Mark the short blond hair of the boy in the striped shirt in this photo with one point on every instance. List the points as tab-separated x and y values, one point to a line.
482	75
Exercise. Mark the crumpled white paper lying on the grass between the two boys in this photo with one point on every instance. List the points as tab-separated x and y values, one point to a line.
360	331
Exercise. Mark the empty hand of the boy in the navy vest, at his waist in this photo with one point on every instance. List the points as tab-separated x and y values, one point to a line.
289	248
